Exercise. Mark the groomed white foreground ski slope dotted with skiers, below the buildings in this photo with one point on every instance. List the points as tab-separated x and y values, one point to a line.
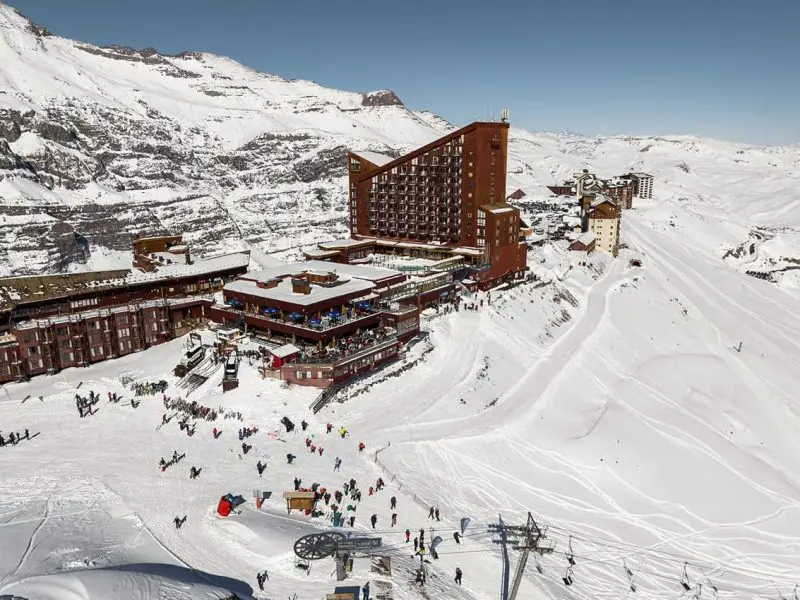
633	426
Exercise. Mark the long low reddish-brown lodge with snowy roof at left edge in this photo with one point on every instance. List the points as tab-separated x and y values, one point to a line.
51	322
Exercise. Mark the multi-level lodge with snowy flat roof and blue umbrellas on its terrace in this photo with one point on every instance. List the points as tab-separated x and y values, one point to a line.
341	319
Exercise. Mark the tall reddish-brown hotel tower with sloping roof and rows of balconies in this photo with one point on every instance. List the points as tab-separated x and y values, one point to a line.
449	193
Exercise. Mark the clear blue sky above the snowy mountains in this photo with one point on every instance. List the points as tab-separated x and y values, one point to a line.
728	69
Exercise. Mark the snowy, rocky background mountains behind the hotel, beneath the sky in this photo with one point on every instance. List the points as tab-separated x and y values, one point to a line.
101	144
